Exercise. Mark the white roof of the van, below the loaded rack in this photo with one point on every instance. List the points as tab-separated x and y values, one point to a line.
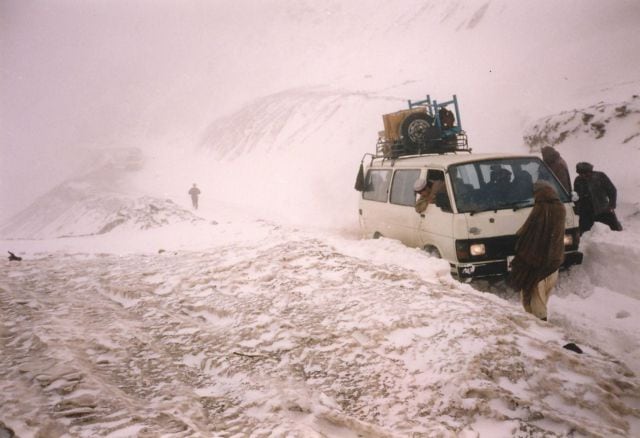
441	160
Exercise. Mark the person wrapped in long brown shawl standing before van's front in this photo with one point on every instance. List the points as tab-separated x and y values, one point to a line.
539	250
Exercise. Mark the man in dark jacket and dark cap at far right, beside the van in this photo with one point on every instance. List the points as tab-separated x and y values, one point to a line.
598	197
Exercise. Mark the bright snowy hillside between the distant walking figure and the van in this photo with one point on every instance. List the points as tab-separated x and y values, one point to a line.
292	156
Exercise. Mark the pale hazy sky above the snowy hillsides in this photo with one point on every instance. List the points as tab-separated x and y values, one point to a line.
78	76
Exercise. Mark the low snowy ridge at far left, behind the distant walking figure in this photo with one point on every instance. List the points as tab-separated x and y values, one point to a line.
96	202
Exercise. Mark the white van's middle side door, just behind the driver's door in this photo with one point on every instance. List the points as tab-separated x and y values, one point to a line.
402	201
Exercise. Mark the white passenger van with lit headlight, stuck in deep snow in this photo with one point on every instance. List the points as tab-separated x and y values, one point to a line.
473	222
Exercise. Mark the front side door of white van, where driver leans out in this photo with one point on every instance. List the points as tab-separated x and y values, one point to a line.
436	223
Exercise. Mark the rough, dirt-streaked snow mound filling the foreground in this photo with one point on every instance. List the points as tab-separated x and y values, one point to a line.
288	333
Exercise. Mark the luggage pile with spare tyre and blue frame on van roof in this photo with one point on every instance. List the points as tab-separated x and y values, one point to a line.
426	127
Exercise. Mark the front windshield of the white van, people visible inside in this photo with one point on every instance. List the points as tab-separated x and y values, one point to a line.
500	183
